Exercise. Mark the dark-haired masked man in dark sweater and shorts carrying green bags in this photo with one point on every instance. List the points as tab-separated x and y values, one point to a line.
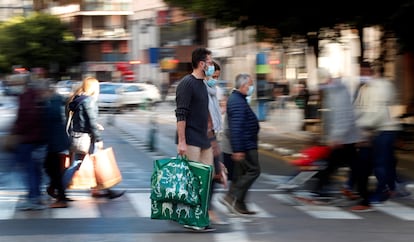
192	113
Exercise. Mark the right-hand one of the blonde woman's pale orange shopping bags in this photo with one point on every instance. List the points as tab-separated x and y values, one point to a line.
107	173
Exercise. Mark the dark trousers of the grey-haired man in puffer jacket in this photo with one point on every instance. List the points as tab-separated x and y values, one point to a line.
245	173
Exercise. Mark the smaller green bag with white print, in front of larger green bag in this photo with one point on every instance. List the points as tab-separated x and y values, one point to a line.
175	183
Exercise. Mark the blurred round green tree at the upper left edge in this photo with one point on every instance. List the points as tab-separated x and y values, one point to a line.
40	40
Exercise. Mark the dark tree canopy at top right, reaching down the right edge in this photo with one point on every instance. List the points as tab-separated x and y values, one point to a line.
308	18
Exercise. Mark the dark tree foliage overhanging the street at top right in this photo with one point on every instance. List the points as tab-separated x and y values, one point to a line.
298	18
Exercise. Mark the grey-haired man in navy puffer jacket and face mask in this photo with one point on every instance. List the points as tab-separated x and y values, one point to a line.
241	141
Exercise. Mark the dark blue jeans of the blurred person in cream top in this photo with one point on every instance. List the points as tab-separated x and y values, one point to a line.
384	162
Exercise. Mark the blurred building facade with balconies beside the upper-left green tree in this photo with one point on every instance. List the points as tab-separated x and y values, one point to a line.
102	35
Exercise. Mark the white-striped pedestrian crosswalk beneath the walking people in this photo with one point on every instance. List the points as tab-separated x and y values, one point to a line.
137	204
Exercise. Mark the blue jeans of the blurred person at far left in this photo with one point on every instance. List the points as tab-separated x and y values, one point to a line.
32	156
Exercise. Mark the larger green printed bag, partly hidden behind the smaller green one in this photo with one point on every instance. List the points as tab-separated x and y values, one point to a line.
195	215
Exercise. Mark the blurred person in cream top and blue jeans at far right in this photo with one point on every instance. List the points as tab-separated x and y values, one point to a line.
372	106
